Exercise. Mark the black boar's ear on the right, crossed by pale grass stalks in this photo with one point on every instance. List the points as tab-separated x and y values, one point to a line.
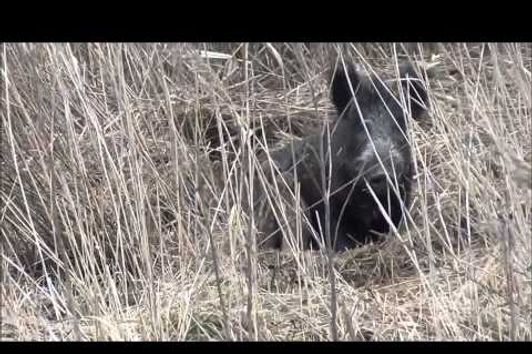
414	89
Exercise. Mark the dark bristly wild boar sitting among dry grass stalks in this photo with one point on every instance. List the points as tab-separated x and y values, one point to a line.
364	161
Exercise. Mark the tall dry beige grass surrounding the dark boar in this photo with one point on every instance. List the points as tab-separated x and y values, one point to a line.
124	178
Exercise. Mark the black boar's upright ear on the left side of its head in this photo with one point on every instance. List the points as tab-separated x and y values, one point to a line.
340	90
